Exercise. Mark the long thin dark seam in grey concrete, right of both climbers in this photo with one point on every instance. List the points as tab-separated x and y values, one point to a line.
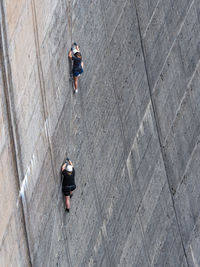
158	130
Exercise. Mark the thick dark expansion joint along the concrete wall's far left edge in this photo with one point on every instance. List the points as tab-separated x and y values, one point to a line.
12	129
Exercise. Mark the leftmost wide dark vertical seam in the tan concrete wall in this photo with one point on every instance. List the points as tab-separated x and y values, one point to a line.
7	83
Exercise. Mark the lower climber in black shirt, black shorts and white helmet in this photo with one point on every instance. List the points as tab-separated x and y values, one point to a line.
68	183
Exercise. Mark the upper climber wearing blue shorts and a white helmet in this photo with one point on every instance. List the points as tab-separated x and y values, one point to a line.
75	55
